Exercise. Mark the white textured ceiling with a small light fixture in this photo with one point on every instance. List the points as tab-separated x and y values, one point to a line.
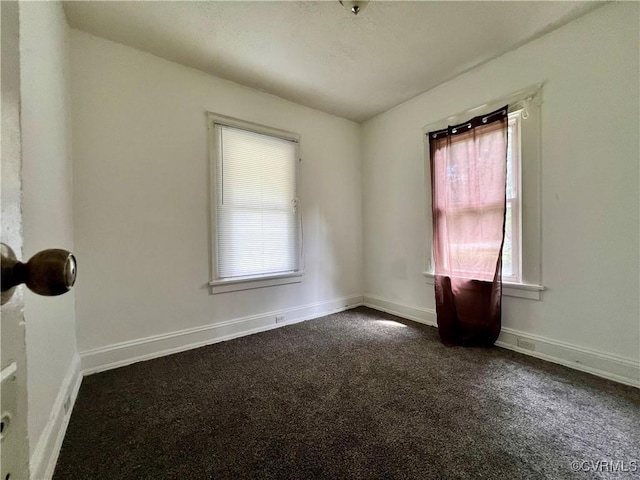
318	54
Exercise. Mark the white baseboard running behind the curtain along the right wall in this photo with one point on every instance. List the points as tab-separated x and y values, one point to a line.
612	367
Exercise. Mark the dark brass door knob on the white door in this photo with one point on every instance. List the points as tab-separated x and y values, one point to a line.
49	272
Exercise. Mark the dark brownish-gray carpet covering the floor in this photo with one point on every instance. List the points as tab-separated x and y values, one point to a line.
355	395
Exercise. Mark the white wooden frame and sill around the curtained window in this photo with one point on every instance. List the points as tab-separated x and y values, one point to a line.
528	284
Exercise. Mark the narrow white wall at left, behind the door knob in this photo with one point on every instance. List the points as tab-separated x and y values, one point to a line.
47	207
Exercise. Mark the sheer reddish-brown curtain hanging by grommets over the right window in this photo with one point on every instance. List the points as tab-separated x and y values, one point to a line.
468	193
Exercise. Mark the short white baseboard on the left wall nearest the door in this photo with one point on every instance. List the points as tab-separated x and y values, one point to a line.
45	455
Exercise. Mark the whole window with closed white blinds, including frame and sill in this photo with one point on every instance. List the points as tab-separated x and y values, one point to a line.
256	235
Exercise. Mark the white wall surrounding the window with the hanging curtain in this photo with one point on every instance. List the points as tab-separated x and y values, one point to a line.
590	151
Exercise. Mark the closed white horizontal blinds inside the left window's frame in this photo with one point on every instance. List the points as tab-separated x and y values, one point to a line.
257	223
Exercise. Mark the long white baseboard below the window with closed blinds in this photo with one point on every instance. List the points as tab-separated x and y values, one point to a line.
126	353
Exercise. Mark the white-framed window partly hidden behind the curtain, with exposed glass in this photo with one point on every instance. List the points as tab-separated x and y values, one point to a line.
521	255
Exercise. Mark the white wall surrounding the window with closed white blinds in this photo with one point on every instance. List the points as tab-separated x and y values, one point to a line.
141	196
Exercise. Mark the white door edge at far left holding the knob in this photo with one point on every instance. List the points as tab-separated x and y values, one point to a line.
14	447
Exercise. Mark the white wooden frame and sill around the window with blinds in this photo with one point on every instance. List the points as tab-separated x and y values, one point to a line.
224	285
